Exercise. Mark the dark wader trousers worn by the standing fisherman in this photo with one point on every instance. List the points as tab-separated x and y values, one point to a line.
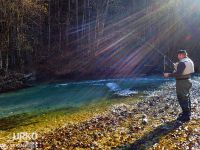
183	94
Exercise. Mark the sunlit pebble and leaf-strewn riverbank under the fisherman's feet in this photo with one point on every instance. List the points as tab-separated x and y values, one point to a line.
148	123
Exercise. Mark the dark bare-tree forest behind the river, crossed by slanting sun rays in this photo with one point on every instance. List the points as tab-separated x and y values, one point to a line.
80	39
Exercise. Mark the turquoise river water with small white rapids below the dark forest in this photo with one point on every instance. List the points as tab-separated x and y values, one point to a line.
73	94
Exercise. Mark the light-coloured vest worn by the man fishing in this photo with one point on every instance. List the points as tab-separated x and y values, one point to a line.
189	66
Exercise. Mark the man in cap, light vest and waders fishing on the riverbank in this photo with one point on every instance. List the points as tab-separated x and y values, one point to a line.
182	73
